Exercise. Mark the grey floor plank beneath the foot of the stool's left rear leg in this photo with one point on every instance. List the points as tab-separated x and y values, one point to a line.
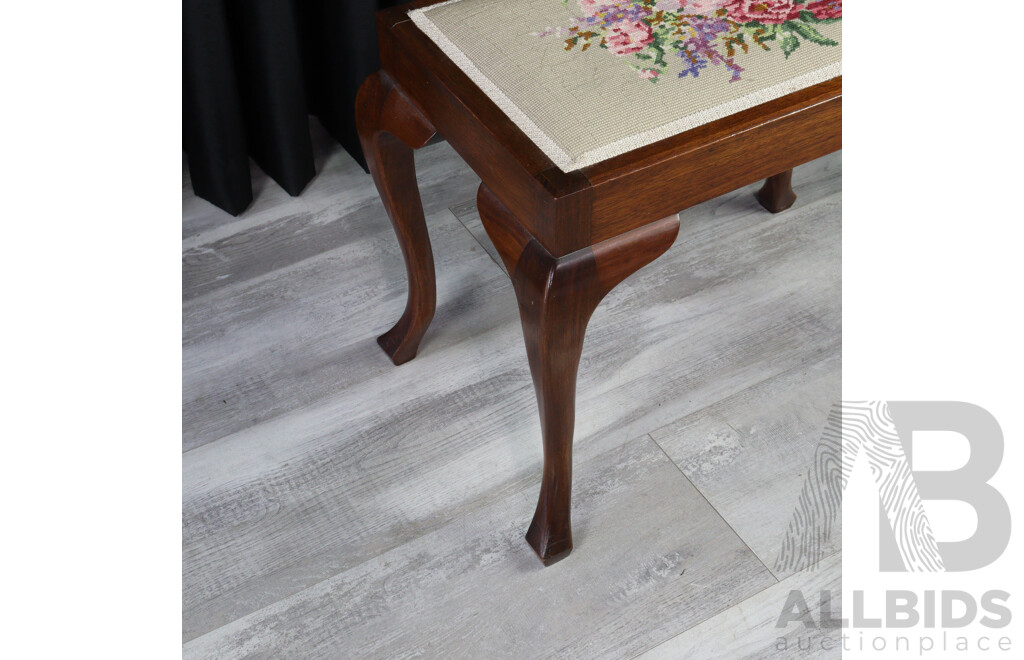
286	341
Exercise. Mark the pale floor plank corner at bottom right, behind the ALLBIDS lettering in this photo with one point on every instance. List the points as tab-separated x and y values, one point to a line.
749	629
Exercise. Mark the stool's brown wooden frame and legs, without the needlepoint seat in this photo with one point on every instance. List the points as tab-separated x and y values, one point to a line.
567	239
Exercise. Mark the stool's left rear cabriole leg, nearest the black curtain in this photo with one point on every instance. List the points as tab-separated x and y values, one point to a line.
391	127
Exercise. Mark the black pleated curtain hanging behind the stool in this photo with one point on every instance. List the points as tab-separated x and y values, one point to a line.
252	73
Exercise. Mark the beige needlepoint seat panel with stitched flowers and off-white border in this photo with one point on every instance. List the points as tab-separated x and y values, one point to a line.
588	80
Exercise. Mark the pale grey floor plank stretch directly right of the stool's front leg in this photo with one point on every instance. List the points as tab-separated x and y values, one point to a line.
716	318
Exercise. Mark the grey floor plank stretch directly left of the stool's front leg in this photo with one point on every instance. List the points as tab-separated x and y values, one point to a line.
283	505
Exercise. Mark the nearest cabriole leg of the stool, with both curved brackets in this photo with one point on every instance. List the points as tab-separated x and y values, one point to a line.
558	296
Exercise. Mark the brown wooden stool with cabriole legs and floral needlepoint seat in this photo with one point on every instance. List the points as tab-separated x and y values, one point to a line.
591	125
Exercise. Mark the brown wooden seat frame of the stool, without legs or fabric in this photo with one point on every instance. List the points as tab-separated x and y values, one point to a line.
571	211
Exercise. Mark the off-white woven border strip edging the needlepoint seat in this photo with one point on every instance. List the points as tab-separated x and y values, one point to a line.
563	159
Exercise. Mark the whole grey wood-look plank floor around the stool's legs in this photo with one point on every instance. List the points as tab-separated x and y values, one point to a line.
335	506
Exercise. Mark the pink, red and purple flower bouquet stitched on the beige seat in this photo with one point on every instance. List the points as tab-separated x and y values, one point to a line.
699	33
